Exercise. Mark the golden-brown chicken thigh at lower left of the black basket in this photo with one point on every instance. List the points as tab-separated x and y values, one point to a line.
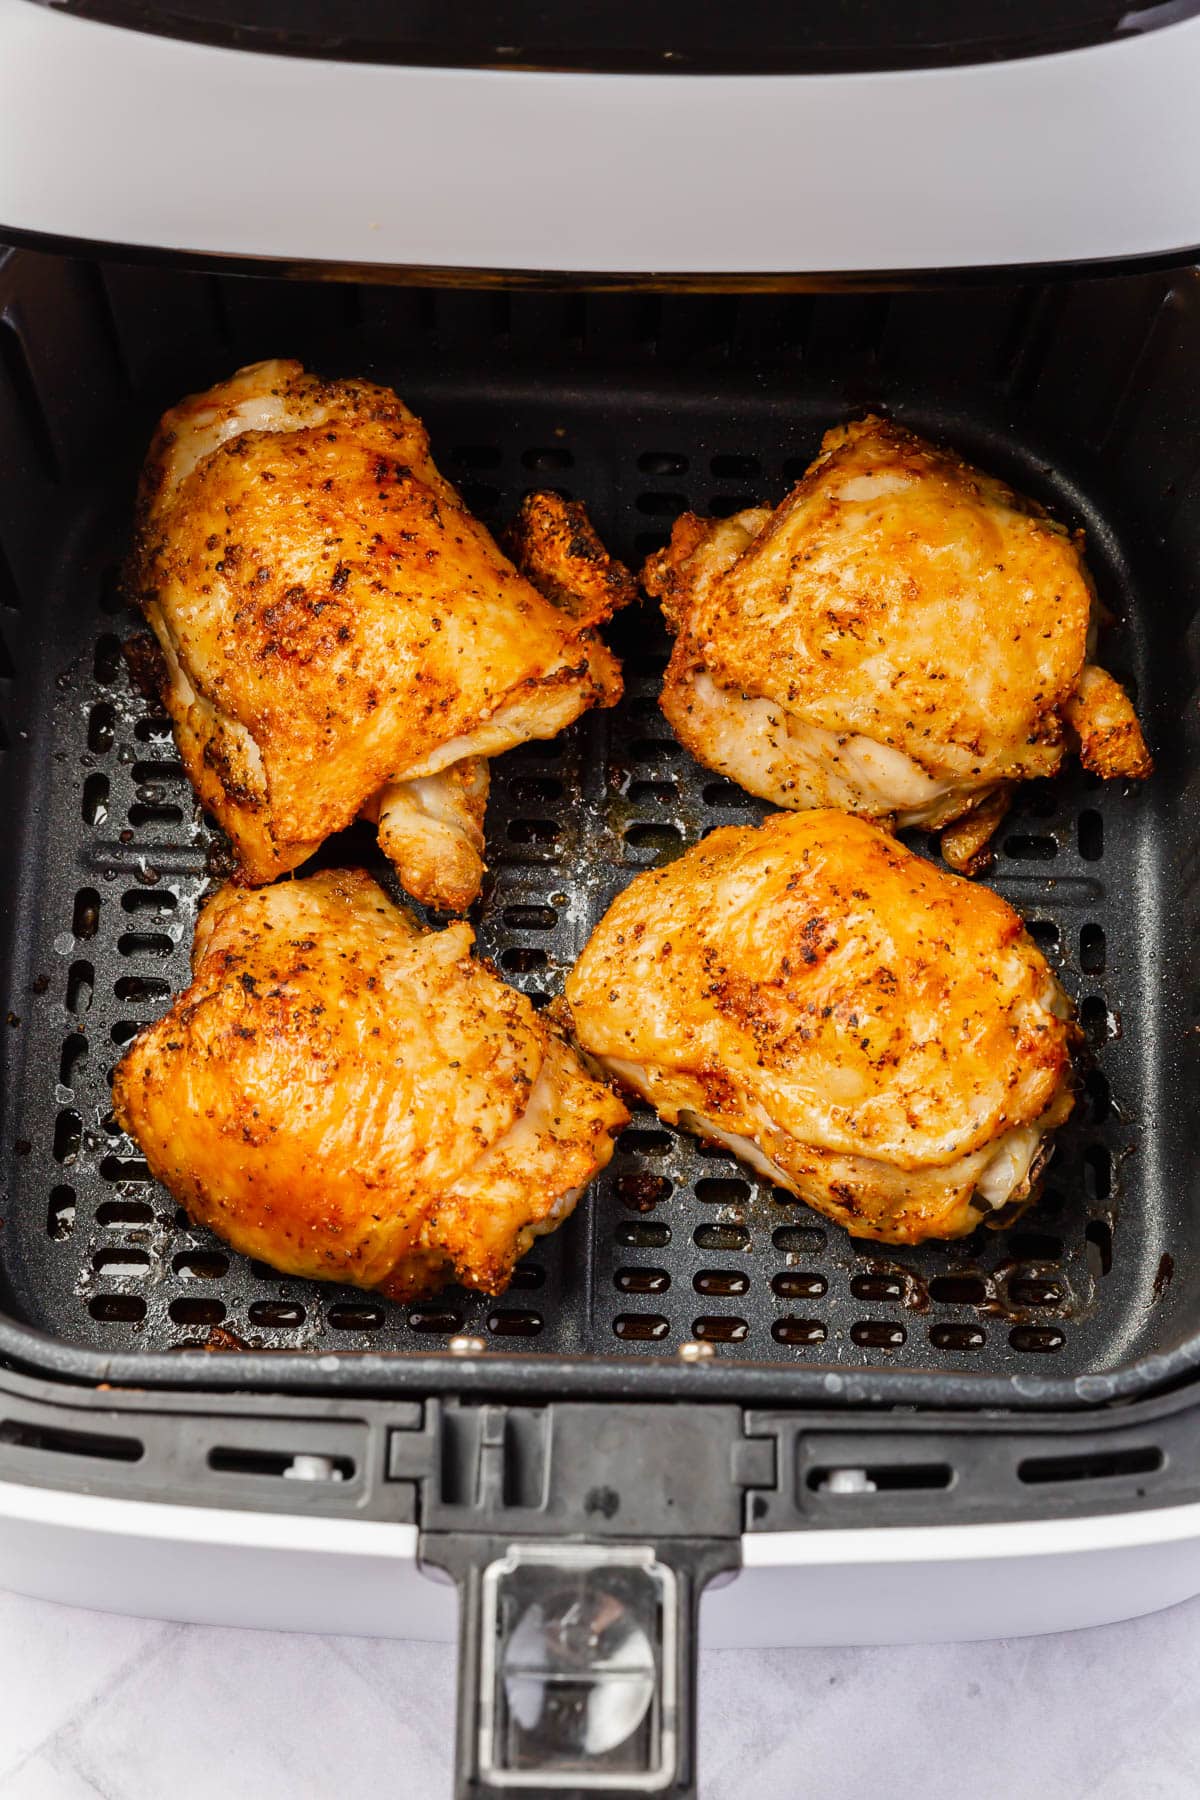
354	1099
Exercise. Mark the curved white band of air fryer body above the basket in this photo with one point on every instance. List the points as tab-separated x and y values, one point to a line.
132	139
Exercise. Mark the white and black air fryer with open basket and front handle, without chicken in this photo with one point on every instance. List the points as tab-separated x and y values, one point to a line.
697	1383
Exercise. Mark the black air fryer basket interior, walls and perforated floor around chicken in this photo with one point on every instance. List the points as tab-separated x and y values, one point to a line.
1080	393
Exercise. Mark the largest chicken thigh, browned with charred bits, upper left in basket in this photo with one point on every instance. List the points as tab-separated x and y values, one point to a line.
337	625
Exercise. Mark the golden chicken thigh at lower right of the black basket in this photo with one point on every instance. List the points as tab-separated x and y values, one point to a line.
866	1030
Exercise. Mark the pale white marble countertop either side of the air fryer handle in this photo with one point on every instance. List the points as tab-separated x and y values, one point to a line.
138	1711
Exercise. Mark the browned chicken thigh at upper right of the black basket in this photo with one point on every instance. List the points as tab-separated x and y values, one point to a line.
902	638
